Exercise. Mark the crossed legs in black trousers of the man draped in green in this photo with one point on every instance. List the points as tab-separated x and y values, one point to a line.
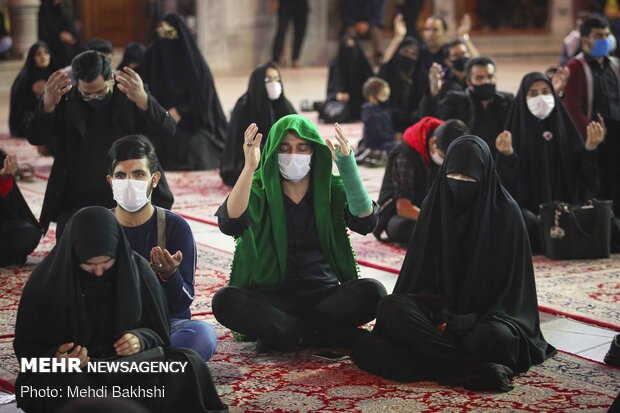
283	319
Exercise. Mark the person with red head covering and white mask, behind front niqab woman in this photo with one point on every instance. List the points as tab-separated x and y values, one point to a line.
410	171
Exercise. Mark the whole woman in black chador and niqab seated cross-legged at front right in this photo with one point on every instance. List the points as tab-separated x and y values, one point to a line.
464	308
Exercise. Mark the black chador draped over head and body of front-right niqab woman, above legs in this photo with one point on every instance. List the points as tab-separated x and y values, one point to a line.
475	255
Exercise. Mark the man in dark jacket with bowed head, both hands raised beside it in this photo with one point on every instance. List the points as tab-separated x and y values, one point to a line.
80	122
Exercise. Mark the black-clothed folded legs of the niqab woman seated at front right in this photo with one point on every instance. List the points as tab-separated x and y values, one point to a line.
406	346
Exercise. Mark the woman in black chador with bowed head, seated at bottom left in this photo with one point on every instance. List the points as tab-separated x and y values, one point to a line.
93	298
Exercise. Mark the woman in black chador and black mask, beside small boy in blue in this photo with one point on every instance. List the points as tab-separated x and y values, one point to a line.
407	84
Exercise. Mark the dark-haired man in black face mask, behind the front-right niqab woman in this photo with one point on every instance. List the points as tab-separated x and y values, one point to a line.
483	109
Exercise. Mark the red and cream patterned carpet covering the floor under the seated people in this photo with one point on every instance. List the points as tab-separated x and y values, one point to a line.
279	383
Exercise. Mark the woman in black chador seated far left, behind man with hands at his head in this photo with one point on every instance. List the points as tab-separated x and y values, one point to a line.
29	86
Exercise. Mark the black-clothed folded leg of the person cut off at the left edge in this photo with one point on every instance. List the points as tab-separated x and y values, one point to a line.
17	239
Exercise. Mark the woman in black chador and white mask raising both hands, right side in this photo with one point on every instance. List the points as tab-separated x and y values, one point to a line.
549	161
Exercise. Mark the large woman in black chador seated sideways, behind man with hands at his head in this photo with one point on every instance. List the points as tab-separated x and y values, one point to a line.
180	79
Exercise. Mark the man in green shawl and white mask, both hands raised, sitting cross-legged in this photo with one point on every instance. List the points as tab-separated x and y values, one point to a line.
294	279
